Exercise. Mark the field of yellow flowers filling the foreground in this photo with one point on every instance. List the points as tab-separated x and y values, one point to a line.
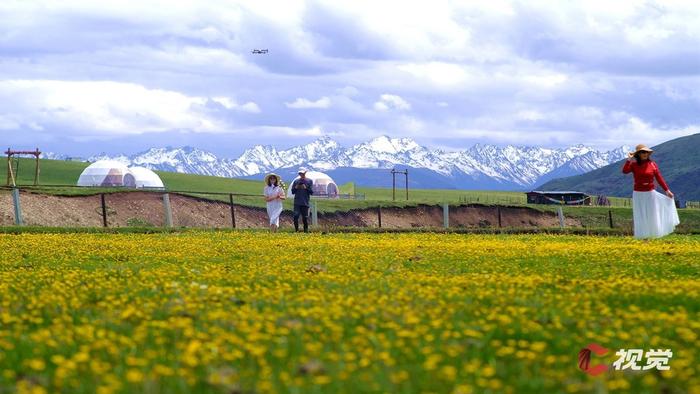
255	312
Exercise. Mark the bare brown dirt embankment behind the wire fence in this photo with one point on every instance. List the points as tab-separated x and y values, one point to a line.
140	208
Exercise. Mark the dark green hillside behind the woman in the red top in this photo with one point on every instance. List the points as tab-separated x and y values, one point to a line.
677	160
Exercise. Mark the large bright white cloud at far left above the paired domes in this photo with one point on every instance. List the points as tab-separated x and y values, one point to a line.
102	107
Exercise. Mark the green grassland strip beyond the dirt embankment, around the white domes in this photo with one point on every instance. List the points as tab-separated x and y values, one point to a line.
66	173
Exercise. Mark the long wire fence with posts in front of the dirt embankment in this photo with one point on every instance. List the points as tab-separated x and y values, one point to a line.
70	206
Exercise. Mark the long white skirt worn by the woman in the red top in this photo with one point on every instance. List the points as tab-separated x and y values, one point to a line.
655	214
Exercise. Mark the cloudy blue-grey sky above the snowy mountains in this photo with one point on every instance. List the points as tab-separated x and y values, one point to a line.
83	77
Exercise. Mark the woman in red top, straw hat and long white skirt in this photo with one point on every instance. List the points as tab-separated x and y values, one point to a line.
654	214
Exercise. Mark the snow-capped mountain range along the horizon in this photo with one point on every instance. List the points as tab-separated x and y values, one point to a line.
509	167
